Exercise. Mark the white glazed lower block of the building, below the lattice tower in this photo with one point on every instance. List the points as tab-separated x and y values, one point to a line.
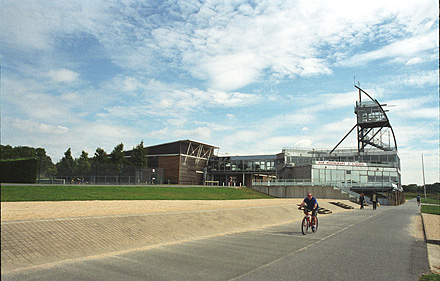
375	169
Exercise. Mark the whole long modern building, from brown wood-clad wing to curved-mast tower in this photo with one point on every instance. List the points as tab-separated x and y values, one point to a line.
373	166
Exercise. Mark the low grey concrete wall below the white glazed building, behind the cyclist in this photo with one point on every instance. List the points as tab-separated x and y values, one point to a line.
323	192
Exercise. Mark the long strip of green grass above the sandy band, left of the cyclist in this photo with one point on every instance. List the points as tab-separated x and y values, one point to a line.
16	193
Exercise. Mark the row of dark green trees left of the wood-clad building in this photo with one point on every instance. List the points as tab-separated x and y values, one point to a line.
69	167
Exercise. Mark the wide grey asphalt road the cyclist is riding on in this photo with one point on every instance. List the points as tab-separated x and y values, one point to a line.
354	245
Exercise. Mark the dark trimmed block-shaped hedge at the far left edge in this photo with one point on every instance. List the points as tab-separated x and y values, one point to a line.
19	170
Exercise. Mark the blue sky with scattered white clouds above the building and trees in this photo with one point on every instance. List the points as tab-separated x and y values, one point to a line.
251	77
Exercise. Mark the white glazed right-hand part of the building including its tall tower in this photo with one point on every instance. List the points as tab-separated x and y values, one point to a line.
374	166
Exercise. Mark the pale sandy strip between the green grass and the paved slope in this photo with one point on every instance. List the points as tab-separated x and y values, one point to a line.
14	211
